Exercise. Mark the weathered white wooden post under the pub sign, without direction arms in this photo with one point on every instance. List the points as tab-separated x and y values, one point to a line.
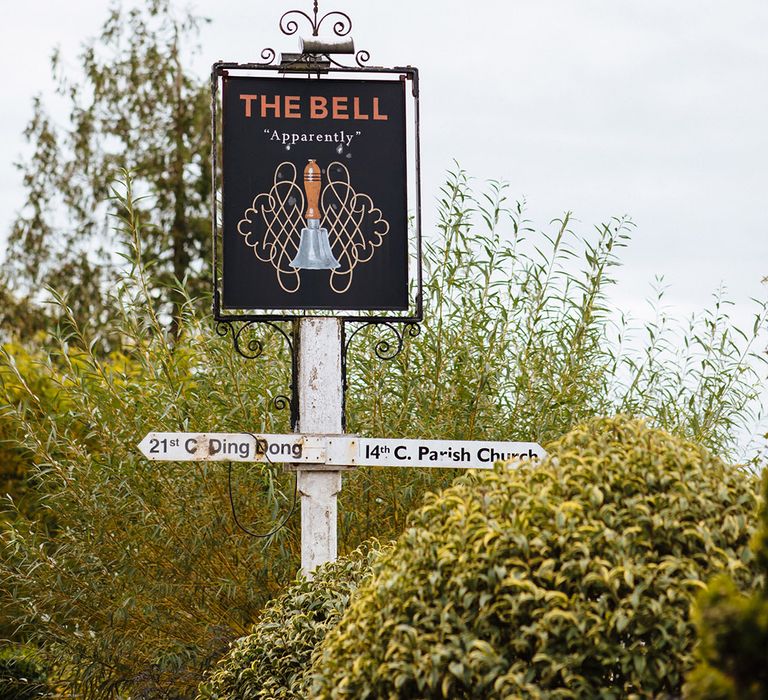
320	411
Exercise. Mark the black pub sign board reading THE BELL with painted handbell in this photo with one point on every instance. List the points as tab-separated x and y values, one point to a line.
314	195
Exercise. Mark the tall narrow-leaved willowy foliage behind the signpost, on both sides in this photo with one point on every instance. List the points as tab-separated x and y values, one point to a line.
136	578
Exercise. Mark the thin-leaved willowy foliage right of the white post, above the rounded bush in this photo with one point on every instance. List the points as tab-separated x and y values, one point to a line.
520	340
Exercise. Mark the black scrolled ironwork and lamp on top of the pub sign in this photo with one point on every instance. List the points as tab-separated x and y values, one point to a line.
315	55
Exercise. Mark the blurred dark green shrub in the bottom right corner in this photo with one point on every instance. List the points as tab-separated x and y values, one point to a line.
733	633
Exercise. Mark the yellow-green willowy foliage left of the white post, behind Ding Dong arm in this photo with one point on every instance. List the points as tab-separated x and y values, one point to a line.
131	576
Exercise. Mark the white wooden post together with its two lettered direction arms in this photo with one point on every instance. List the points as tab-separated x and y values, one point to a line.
321	453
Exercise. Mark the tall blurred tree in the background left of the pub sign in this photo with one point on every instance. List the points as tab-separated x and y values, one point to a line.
133	106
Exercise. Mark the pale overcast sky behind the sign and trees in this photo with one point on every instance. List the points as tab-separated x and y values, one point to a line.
650	108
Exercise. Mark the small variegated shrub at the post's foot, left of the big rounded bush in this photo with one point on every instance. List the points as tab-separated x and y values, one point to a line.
273	662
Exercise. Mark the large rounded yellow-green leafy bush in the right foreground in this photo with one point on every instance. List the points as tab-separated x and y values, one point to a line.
572	579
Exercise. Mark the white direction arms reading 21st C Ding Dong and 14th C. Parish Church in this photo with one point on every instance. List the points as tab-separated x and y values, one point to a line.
334	450
